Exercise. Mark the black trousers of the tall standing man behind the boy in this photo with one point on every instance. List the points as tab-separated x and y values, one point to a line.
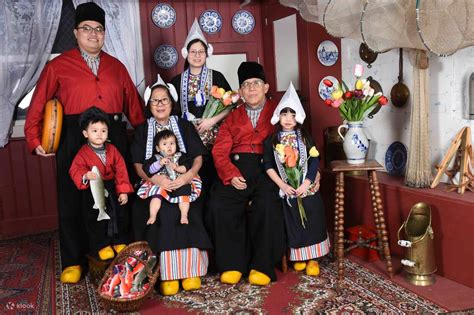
72	233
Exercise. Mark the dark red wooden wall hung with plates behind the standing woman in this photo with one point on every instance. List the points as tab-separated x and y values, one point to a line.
227	41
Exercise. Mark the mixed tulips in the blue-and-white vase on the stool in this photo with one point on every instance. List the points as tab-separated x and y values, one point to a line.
356	104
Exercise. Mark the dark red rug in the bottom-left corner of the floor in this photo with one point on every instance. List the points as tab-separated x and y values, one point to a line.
26	275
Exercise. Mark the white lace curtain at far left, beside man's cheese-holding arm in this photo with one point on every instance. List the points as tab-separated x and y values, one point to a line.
27	32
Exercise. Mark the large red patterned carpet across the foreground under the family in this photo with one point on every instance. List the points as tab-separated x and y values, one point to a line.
363	292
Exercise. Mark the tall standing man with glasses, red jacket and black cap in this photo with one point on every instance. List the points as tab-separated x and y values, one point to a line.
80	78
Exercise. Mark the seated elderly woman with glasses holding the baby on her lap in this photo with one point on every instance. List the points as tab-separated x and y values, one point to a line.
181	247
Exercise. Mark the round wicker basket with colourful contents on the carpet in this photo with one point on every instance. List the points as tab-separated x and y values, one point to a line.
130	278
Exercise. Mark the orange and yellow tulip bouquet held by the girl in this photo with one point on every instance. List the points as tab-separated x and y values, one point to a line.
289	158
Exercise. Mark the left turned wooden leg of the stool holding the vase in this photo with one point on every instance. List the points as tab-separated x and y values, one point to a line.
339	225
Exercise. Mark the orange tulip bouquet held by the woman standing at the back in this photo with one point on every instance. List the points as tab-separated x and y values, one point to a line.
219	100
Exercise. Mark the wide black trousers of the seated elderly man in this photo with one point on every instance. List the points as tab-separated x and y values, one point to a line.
248	236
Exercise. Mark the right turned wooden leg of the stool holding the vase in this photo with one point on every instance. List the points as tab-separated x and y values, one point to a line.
382	229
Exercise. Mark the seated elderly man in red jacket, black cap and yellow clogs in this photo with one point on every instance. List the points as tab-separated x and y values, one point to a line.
245	211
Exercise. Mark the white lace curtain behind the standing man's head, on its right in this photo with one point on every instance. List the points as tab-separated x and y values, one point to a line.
123	36
